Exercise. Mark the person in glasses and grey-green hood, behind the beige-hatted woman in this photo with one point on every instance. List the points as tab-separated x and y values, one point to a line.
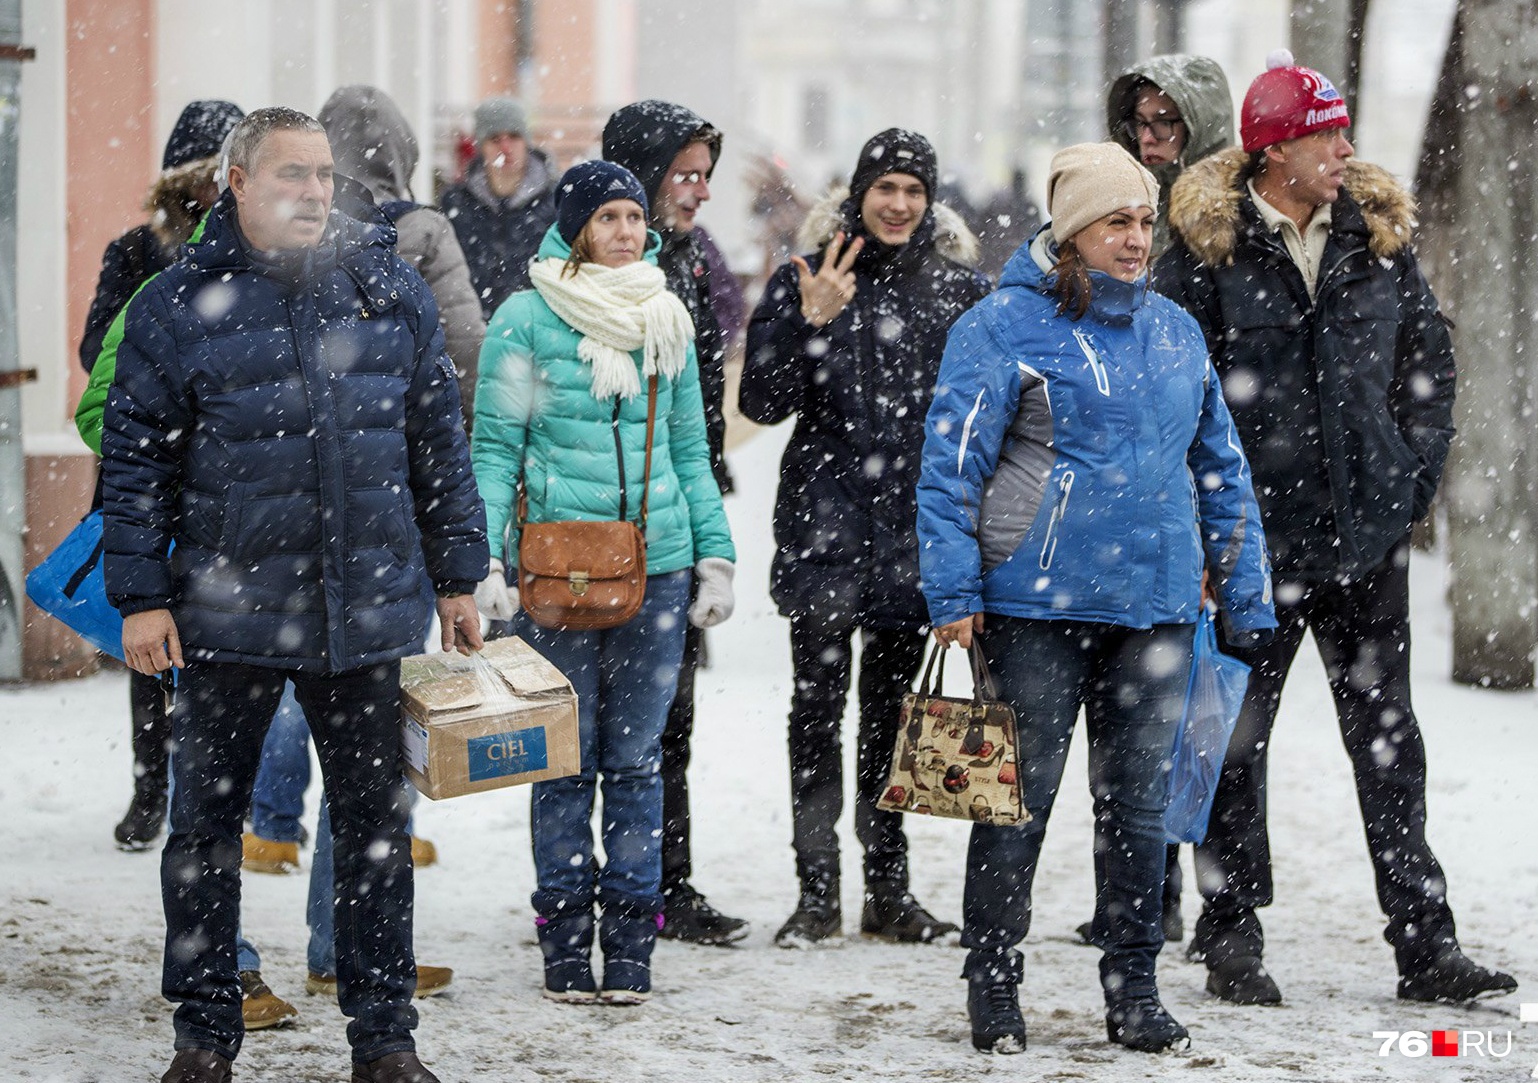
1171	113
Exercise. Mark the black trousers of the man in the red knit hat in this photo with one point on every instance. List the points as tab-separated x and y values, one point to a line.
1363	631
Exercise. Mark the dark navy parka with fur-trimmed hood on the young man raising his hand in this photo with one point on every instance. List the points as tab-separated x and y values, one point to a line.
861	388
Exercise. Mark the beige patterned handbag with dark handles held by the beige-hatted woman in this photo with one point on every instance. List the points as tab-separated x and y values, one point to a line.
957	758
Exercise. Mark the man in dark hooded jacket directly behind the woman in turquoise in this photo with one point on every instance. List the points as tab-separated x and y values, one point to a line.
673	153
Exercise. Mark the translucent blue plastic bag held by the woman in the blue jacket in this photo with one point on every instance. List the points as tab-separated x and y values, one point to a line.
1214	698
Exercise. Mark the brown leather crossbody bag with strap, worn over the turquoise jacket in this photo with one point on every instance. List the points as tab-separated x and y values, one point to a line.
588	575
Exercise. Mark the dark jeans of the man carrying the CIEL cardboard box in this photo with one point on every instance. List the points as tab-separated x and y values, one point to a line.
221	721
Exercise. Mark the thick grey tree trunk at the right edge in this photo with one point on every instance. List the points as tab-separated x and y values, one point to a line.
1480	196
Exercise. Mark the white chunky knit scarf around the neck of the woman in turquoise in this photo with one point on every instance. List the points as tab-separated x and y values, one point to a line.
619	310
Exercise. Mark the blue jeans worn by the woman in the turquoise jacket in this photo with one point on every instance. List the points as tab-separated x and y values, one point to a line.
625	681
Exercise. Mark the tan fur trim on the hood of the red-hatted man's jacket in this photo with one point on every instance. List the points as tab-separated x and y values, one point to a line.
1205	207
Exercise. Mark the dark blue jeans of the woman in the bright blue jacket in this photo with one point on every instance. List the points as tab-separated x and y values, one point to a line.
1133	688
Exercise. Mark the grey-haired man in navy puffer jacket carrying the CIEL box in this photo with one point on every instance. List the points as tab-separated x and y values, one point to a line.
285	413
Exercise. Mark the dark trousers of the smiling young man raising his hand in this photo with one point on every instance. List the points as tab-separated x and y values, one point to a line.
822	662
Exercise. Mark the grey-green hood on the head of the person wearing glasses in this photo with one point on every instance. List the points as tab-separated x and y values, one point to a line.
1202	93
